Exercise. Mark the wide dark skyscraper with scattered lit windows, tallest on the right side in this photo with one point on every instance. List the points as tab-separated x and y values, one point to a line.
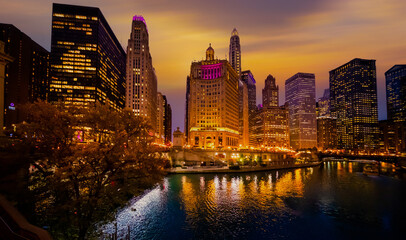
354	103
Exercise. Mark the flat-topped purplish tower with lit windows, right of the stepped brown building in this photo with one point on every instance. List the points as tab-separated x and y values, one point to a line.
300	94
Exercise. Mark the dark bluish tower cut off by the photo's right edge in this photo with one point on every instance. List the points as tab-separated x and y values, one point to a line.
396	93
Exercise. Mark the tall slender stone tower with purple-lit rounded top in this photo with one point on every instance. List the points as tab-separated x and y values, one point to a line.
141	79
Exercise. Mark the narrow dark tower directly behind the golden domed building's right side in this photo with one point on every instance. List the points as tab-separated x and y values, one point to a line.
249	80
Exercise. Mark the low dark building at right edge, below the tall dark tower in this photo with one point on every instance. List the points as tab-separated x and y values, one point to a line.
392	137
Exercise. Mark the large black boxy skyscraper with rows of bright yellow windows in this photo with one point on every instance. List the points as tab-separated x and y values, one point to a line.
87	61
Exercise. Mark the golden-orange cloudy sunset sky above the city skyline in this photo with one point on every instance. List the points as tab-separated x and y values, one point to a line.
278	37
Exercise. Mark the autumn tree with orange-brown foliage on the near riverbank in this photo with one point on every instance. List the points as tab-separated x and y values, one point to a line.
88	162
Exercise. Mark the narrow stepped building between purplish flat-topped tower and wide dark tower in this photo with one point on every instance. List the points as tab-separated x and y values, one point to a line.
326	124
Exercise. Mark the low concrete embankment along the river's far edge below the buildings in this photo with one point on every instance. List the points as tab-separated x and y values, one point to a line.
242	170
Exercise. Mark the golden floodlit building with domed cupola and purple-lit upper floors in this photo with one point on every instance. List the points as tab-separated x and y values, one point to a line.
213	104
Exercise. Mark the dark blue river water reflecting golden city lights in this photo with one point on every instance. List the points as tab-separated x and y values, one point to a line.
333	201
